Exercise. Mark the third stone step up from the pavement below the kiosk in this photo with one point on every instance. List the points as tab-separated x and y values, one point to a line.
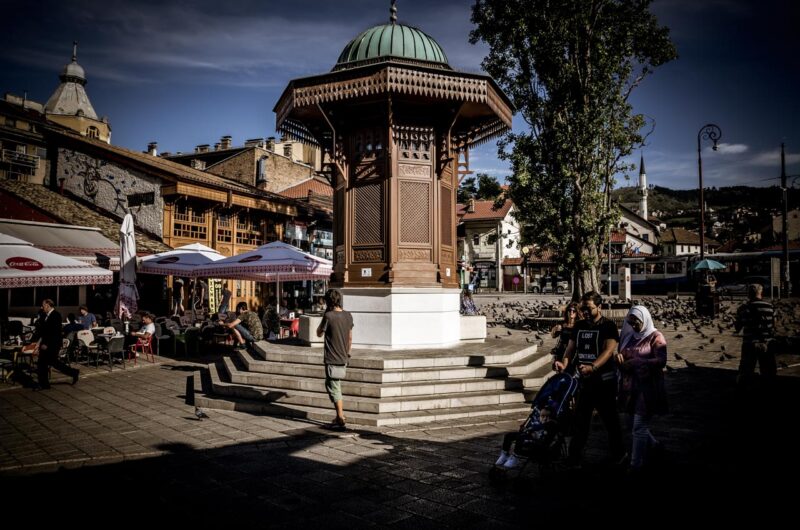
239	374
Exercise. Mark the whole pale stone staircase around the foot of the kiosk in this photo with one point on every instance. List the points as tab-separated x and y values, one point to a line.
495	378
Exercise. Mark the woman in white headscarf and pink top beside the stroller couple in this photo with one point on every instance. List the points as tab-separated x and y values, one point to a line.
642	357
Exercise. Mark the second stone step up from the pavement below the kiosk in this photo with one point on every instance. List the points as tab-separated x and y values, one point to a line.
362	403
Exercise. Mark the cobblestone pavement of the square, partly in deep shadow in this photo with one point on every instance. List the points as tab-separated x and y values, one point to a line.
124	446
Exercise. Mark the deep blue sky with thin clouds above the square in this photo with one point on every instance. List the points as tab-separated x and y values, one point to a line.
184	73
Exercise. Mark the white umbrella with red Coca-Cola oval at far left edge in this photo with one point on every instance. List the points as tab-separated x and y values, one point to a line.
23	265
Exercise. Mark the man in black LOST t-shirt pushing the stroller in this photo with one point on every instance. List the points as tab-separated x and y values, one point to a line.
592	348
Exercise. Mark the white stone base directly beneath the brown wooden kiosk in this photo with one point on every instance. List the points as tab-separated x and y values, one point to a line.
403	317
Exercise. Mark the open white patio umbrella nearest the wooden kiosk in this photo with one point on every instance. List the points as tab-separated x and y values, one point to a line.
273	262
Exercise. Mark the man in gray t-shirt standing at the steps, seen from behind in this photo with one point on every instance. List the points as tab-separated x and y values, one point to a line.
337	326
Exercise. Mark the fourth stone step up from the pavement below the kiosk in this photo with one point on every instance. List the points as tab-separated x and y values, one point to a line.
366	375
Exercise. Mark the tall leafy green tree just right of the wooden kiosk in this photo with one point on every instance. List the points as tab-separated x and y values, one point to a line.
570	67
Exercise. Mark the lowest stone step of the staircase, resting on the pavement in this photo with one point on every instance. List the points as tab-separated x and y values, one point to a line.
507	412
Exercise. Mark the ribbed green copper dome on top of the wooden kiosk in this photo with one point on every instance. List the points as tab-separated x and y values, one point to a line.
394	41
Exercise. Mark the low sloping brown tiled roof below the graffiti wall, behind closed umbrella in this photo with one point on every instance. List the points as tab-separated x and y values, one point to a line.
69	211
